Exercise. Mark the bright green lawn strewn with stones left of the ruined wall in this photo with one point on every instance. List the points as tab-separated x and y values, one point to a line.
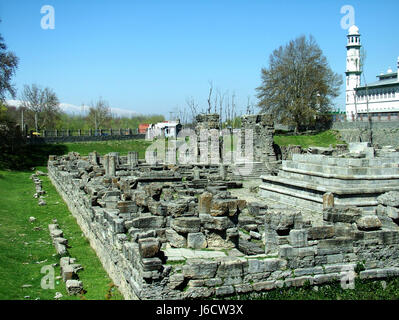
22	247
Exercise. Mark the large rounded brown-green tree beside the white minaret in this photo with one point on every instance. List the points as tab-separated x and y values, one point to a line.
298	84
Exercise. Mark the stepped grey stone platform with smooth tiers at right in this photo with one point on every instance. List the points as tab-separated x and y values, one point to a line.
358	181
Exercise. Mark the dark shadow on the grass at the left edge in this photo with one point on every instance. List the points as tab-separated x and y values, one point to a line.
28	156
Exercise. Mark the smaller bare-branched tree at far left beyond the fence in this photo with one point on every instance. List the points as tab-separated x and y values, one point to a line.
42	106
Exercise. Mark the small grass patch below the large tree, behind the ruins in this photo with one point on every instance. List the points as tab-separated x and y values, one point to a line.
323	139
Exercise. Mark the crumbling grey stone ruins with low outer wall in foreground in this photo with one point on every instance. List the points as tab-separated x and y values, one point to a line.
176	232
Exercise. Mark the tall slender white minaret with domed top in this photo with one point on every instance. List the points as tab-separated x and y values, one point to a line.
353	70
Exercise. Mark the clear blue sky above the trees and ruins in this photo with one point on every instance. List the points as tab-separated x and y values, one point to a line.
148	56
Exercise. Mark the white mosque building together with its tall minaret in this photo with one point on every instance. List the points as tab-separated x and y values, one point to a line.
378	99
